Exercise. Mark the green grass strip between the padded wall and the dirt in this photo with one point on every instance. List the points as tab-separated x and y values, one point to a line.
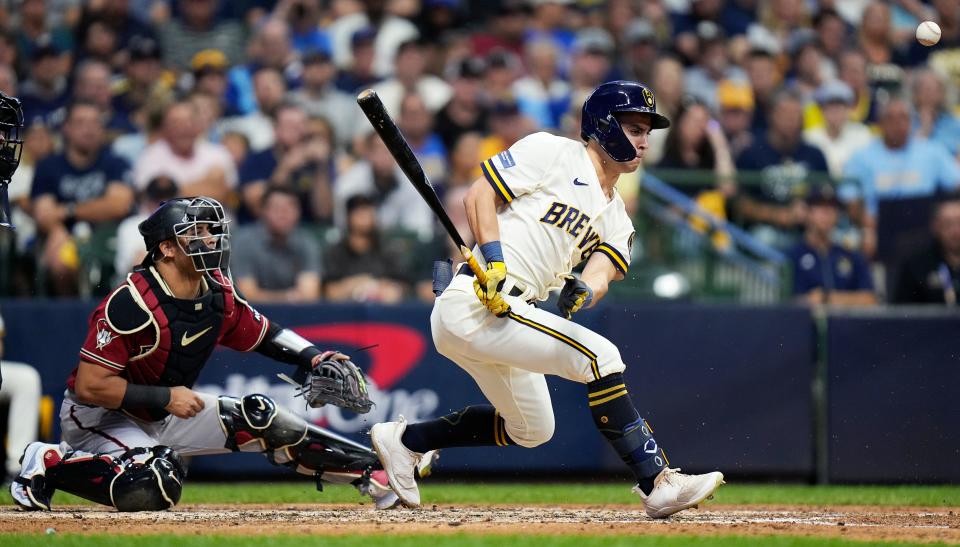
558	493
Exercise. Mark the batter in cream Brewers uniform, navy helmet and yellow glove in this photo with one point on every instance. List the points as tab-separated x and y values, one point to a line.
542	207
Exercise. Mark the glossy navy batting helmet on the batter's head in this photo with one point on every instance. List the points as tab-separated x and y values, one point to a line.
599	123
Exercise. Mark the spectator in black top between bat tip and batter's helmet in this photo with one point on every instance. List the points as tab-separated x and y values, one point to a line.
466	111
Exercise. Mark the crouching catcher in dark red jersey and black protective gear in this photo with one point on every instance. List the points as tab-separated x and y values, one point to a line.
129	413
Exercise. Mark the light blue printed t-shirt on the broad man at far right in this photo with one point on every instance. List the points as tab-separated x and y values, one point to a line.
918	169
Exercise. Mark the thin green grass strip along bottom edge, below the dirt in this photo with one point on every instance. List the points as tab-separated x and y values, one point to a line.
457	540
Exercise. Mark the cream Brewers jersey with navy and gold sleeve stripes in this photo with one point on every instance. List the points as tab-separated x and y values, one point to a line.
556	213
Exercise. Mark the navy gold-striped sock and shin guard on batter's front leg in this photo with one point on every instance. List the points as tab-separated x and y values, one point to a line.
629	434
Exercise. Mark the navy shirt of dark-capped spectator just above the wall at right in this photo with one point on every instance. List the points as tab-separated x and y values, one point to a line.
839	270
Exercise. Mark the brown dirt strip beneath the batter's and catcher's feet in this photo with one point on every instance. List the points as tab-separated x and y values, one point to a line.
862	523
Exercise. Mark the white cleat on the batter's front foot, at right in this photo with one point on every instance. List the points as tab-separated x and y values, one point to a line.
673	491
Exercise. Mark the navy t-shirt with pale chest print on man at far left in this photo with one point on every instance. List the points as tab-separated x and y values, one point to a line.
68	184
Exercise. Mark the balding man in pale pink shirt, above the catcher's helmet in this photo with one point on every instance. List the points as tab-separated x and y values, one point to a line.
201	168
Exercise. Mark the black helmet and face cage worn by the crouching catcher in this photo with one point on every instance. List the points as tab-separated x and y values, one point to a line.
200	228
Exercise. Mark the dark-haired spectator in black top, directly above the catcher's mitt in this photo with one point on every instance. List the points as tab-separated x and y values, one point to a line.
359	268
